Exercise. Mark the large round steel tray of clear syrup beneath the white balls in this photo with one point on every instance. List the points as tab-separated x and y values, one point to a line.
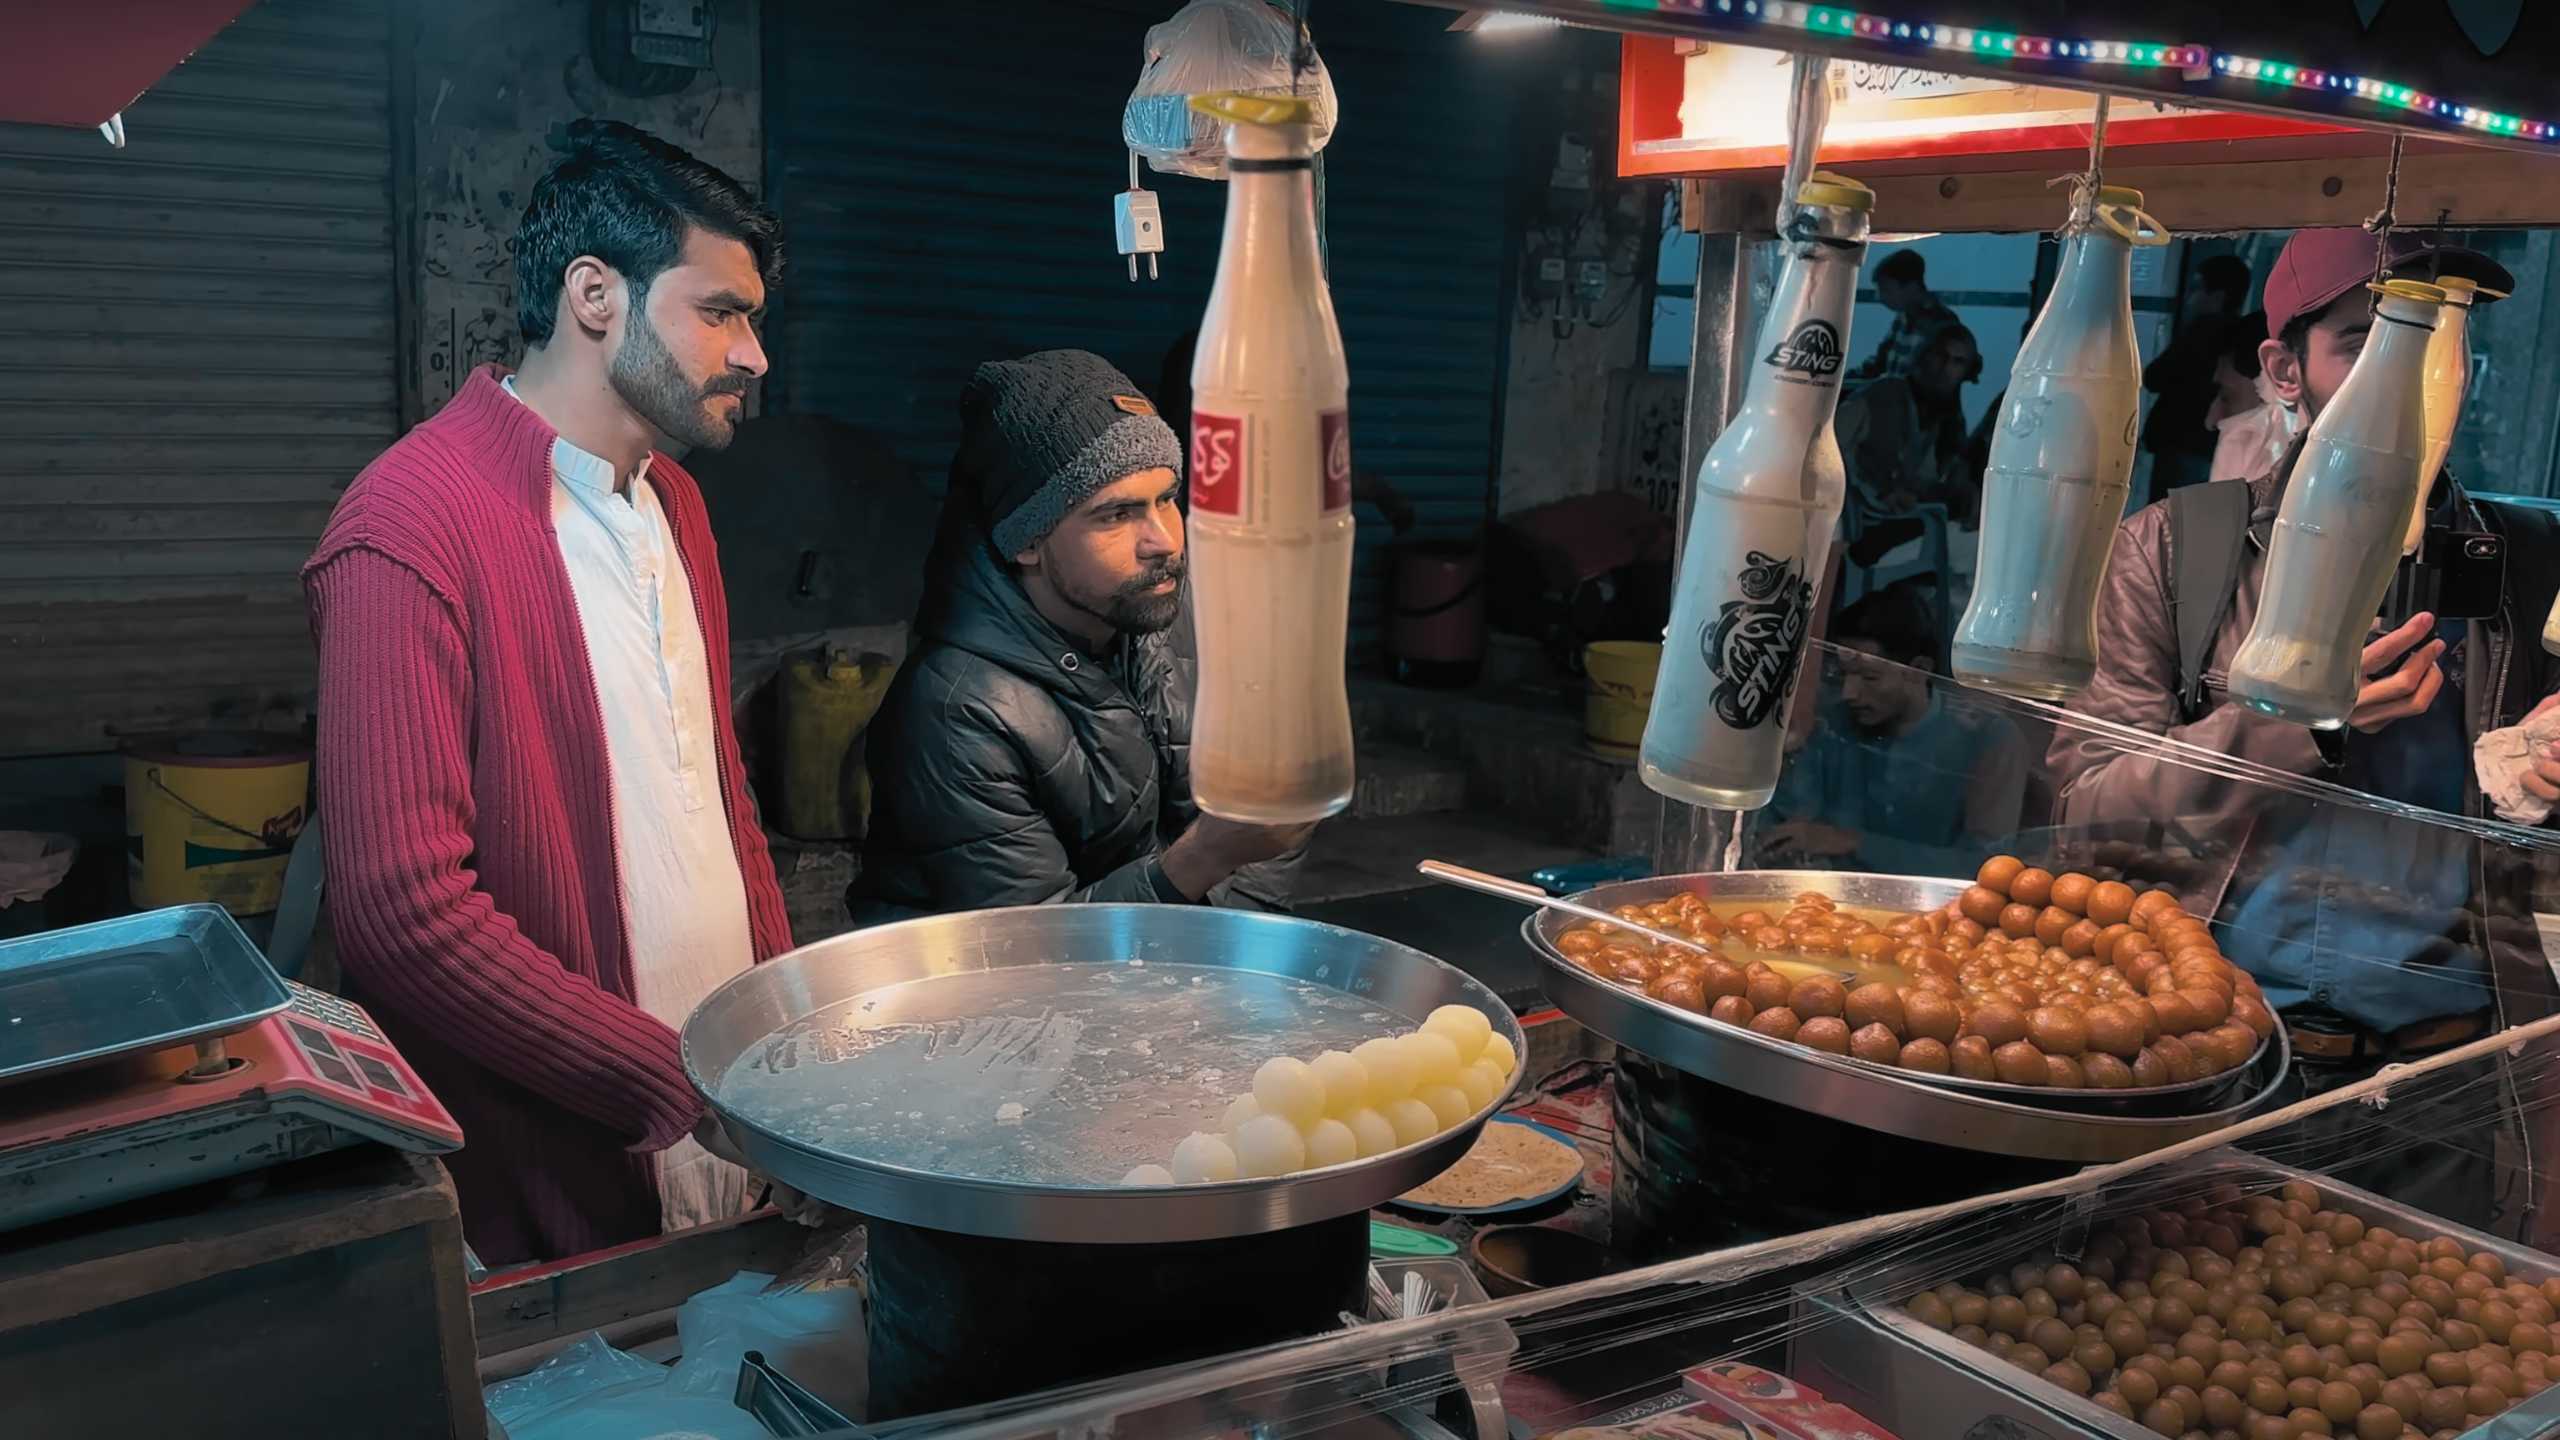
1000	1072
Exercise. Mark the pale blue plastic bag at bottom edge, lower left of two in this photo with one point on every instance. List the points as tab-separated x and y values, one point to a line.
595	1393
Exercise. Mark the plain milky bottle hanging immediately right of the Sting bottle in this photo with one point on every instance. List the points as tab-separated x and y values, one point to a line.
2062	462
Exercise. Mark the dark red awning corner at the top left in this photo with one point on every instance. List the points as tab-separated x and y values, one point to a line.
73	65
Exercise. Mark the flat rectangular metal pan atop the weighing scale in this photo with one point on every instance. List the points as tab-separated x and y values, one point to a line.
137	983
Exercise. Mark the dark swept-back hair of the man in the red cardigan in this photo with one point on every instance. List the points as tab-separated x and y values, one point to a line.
628	199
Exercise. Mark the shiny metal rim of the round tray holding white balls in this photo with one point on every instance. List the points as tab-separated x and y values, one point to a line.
1394	978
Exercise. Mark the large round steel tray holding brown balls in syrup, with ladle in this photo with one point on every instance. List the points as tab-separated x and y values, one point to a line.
1852	1090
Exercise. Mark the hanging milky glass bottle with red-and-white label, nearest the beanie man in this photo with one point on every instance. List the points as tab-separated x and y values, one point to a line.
1271	493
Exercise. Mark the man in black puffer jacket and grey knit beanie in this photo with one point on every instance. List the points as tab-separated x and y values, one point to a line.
1038	742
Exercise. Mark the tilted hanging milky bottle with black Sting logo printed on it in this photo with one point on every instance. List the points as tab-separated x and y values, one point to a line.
1760	529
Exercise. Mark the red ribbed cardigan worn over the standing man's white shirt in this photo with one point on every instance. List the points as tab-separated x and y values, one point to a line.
472	872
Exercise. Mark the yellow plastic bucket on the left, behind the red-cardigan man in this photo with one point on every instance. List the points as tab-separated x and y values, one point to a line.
214	819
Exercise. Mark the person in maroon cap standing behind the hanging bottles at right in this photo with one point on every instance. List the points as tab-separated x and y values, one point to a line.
2292	888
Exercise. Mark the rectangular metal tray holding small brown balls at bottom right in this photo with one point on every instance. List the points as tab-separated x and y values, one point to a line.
1926	1385
